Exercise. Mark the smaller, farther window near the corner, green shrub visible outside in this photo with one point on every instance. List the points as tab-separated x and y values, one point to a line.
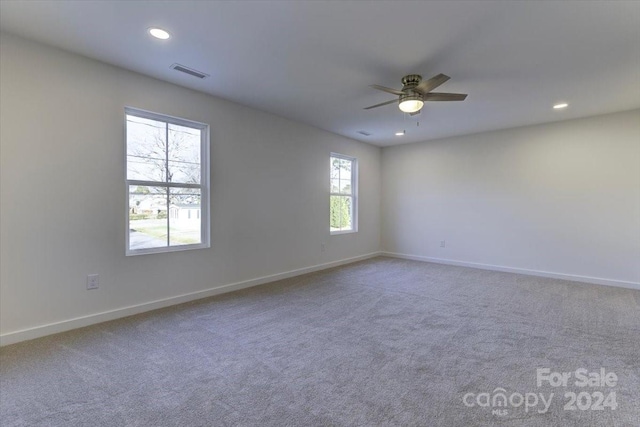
343	218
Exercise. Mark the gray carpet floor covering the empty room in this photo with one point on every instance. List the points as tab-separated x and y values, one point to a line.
384	342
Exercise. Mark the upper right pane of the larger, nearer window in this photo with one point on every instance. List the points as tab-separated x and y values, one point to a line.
184	154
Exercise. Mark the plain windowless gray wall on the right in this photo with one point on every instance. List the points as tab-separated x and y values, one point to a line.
560	198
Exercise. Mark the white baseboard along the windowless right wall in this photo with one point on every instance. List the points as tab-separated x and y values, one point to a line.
572	277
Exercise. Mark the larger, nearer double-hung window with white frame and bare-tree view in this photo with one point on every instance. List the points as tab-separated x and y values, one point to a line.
167	174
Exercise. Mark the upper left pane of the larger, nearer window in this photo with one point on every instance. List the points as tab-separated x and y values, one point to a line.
146	149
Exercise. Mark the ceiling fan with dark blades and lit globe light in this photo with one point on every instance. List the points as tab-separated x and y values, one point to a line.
415	91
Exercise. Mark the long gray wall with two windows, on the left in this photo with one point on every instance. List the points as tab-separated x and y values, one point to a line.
63	193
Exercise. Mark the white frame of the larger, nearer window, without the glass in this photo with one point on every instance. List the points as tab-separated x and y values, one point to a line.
203	186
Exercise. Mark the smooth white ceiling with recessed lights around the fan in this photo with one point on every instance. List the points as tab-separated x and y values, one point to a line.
313	61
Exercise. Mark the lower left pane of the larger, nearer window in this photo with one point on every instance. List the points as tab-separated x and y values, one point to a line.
147	217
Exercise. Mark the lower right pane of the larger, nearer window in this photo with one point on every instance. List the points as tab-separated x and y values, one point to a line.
185	215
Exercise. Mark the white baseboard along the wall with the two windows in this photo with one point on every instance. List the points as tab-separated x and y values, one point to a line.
79	322
